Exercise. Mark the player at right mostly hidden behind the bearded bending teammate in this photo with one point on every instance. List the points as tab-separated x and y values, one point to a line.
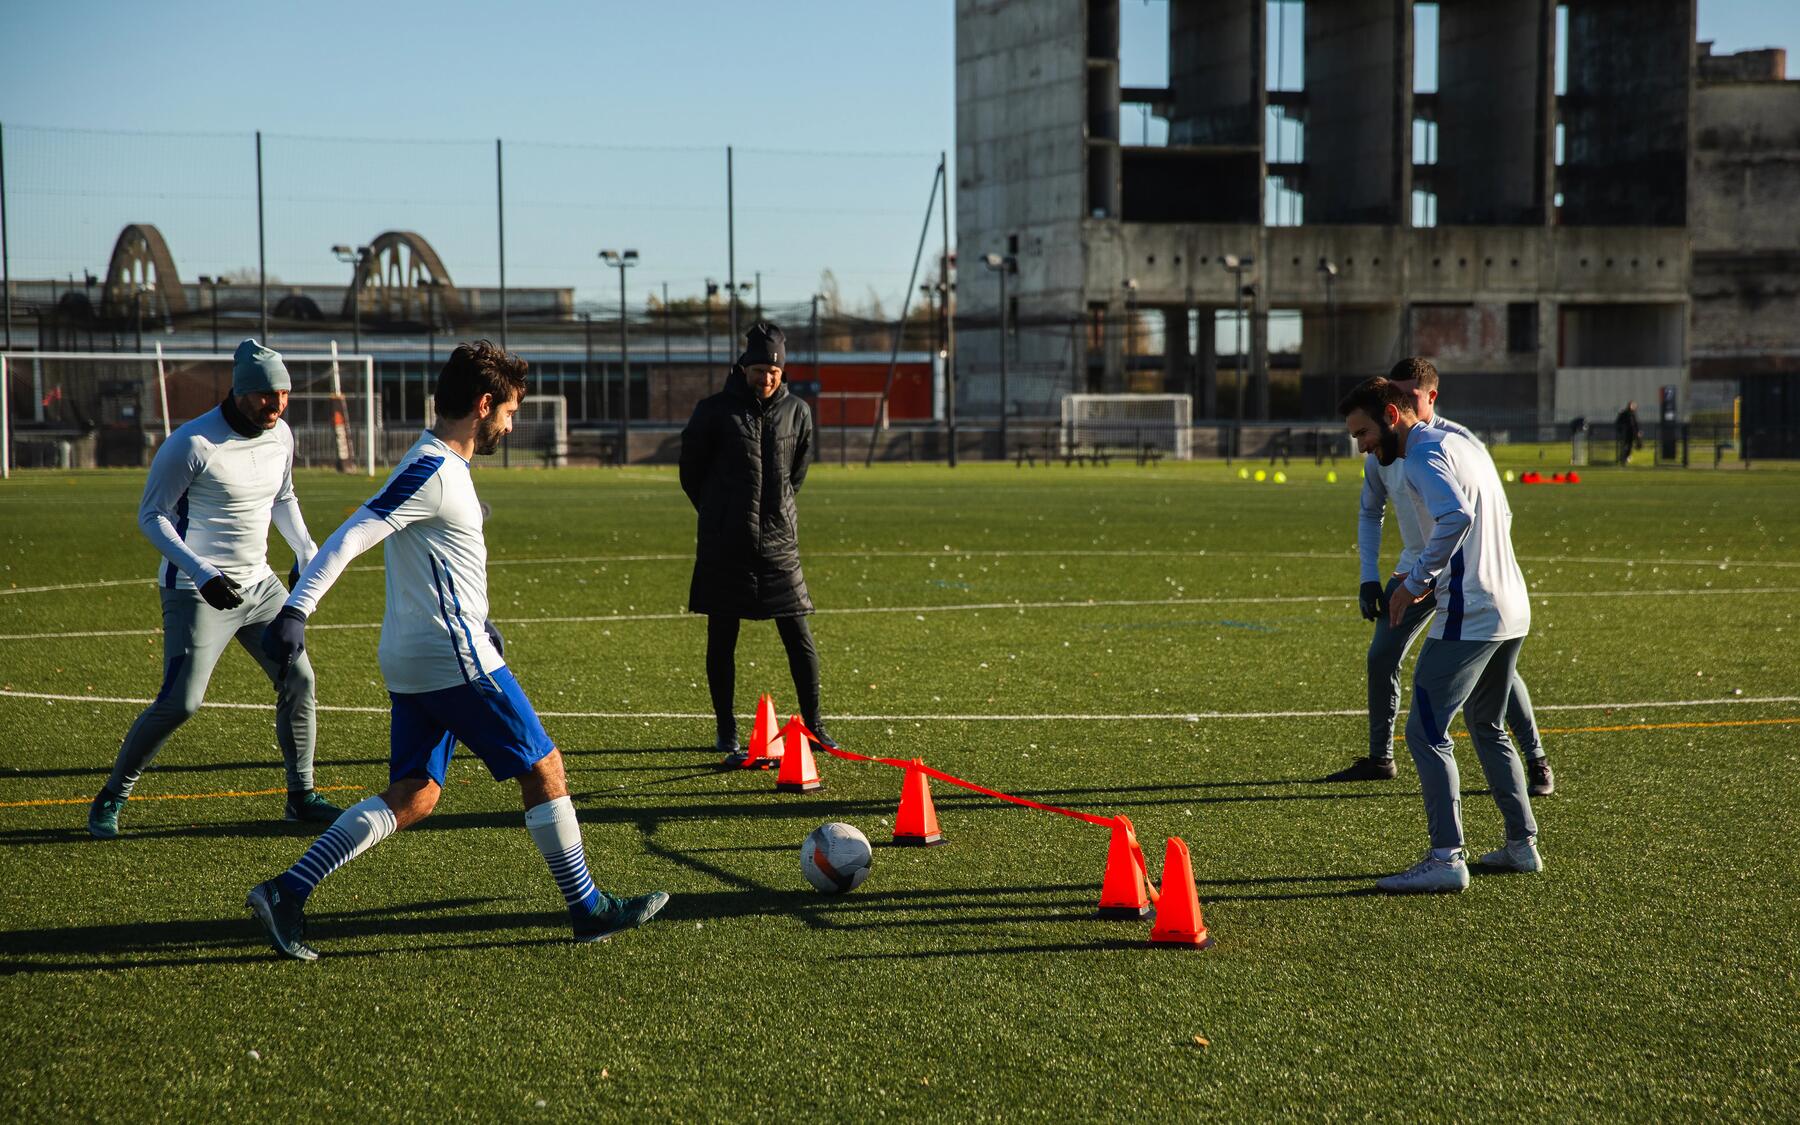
1419	379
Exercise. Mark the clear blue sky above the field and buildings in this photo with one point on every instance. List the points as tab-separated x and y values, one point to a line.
615	118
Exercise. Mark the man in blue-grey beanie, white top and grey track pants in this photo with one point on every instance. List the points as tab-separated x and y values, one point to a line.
211	494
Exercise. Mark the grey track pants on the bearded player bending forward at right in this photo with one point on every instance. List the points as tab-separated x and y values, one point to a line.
1471	678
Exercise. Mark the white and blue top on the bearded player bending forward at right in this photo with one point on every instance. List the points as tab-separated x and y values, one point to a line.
1468	552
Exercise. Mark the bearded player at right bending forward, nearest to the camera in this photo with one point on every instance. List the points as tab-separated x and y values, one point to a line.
1473	649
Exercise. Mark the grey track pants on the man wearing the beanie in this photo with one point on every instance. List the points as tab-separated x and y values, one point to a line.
193	638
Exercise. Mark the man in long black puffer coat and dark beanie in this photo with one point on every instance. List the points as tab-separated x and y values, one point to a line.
742	460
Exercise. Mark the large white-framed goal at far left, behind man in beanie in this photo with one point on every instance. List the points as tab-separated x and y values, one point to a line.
96	409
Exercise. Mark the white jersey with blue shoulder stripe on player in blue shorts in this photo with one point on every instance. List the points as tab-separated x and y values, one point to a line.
433	633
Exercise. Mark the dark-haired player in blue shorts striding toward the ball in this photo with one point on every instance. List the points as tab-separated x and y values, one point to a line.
442	661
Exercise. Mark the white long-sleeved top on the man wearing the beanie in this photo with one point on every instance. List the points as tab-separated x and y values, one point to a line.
211	496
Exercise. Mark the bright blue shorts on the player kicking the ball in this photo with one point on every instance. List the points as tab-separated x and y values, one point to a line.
490	717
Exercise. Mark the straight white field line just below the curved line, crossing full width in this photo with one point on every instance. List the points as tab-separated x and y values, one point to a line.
951	609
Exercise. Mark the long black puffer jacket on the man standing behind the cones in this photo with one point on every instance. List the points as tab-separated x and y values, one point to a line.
742	460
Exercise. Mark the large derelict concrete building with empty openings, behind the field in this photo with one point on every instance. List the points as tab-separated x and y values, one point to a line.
1524	219
